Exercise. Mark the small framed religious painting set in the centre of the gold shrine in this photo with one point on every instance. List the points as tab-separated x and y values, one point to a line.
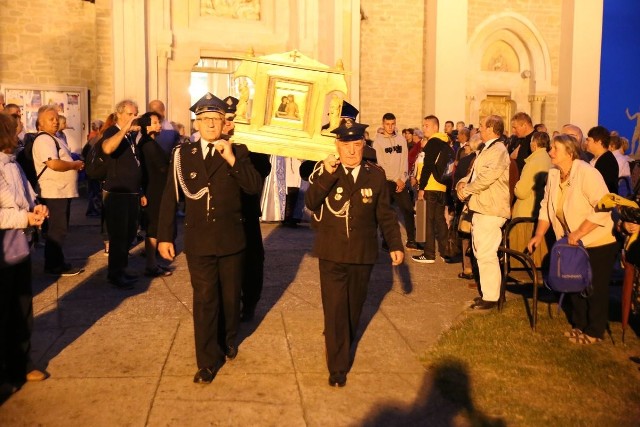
289	103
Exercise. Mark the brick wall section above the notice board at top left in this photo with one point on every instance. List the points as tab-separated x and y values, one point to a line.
62	43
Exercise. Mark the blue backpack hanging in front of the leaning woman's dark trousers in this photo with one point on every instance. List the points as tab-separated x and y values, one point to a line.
569	269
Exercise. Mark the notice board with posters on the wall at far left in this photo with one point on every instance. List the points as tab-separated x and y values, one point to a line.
71	101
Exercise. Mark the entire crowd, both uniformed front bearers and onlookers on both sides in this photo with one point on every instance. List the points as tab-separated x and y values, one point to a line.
555	180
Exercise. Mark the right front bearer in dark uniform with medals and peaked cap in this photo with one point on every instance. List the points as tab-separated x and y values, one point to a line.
350	199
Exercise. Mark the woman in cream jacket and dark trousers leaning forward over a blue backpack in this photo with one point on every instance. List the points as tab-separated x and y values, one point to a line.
569	205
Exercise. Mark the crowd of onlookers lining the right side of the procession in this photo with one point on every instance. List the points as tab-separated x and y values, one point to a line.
554	181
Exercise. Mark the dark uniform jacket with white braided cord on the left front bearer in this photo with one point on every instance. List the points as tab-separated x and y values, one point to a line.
213	223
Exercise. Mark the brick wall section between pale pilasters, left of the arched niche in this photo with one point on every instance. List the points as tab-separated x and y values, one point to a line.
392	62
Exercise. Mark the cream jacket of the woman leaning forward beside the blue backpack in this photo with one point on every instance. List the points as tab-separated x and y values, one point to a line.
586	188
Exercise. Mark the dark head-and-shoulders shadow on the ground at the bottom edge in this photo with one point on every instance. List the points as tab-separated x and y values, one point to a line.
444	399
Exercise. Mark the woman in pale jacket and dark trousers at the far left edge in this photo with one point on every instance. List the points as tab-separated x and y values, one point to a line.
18	210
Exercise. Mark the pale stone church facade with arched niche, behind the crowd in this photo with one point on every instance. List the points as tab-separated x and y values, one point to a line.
459	60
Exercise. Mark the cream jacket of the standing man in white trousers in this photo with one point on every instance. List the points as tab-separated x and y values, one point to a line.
489	189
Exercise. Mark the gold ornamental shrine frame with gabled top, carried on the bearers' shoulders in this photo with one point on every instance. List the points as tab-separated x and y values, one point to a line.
292	127
